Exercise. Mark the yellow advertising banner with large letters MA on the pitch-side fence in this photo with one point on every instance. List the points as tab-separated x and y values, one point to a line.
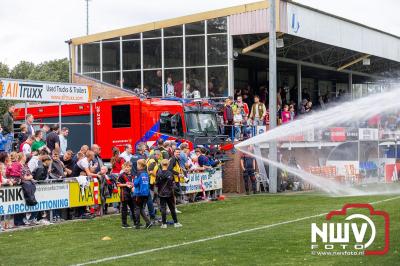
76	199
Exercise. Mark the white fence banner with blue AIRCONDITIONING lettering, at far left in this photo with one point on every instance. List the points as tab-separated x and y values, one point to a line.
49	196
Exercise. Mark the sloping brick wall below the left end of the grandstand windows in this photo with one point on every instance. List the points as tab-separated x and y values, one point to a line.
104	90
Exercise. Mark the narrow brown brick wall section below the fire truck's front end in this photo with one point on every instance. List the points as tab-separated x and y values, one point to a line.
232	181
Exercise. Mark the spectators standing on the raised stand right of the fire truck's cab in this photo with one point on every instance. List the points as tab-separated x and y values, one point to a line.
245	111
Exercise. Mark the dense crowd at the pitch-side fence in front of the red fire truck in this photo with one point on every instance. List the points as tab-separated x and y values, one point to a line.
42	155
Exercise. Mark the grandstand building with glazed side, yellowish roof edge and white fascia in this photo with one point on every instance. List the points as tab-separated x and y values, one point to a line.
221	50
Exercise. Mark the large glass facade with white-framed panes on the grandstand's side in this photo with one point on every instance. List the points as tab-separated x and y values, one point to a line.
193	58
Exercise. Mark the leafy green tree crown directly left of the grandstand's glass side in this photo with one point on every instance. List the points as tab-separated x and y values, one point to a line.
54	70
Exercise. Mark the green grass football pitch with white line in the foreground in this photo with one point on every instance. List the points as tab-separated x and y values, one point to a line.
284	244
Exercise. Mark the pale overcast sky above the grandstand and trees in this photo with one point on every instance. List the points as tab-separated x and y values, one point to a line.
36	30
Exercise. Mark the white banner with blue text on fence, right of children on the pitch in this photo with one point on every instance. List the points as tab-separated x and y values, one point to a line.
203	181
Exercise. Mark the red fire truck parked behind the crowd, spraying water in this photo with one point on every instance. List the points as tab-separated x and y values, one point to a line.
129	120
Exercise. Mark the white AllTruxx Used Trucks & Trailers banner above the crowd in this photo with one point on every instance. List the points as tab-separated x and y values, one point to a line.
24	90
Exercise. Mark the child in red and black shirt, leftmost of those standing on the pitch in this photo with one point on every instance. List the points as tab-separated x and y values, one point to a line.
125	181
